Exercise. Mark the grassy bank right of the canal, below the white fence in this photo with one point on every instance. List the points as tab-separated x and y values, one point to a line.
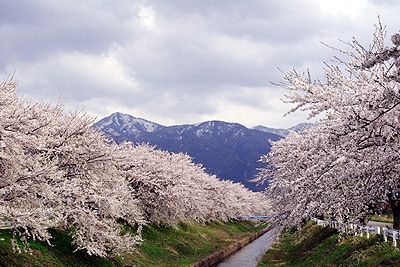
315	245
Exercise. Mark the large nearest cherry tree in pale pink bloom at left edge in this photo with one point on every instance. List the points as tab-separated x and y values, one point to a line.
56	171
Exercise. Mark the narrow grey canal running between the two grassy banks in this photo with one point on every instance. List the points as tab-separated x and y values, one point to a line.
251	254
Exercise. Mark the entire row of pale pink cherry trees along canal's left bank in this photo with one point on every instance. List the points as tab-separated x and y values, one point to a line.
57	171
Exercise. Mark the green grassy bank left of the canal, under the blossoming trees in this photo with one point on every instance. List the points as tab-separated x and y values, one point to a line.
163	246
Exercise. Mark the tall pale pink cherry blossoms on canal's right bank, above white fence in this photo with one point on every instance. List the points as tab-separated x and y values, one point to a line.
351	158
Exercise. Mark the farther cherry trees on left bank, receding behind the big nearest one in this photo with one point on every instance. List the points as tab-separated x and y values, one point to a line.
171	188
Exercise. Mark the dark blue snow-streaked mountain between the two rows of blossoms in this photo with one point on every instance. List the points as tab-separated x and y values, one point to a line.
229	150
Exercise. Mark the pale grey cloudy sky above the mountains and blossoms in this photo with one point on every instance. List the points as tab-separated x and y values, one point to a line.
178	61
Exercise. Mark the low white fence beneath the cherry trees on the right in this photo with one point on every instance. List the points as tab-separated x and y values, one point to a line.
359	229
